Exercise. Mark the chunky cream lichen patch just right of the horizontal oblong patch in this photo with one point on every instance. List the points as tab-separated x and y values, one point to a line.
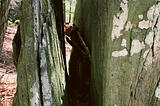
136	46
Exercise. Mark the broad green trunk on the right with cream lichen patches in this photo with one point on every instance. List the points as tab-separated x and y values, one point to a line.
124	40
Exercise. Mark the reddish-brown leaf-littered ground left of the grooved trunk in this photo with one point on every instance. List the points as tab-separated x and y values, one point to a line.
8	73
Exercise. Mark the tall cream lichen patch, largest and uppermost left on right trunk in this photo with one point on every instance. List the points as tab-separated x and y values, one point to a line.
120	20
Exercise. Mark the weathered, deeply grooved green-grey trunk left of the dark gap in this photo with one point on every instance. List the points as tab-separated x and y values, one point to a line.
40	70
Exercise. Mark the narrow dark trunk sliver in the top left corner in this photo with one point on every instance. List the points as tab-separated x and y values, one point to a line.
3	19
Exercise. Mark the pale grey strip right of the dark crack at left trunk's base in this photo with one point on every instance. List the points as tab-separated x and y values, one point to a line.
46	89
